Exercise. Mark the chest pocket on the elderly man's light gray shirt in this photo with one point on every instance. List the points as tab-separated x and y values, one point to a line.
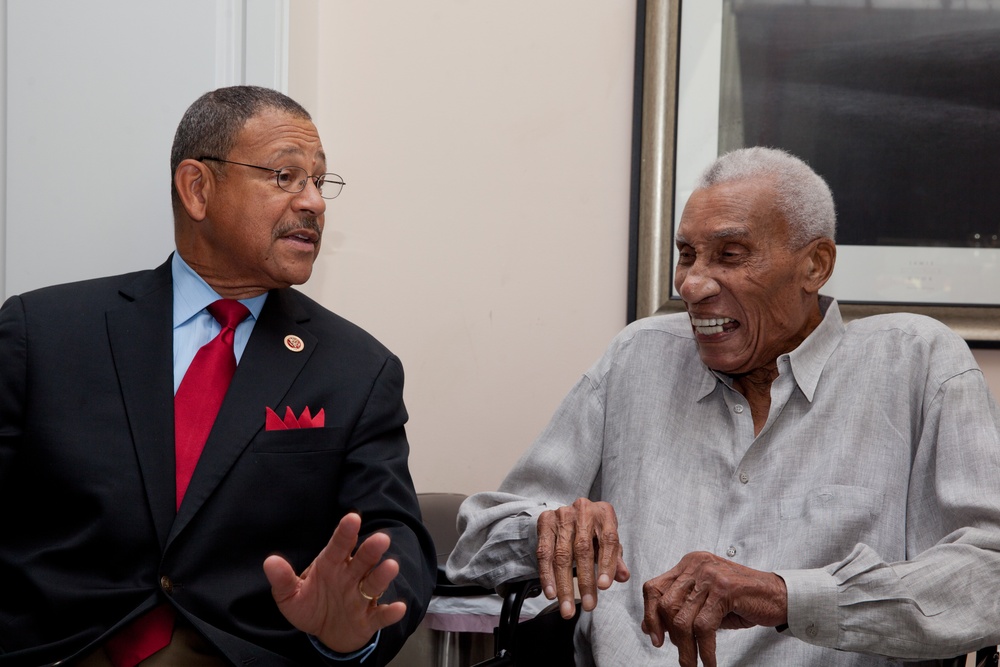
823	525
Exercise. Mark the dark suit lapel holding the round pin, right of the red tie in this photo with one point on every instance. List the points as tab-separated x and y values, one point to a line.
265	373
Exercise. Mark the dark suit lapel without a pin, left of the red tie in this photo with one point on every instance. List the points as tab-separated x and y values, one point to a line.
140	332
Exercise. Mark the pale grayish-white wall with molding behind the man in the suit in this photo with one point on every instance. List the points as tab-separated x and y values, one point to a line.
94	91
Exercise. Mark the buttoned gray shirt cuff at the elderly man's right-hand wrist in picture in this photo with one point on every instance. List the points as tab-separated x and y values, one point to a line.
812	606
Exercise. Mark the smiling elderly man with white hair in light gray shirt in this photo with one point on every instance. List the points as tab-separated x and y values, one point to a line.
823	493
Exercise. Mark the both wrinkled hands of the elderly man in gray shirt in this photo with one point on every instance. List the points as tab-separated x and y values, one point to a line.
703	593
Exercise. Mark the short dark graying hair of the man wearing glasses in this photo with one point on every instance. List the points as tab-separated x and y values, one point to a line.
212	124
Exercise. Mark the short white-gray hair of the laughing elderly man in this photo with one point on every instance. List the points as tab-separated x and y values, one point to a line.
802	196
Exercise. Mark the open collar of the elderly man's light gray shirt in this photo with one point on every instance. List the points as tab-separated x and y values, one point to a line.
806	361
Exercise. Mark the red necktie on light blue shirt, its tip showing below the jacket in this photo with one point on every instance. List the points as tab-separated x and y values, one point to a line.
196	404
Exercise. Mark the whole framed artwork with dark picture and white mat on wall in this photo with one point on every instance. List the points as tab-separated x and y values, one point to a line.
896	103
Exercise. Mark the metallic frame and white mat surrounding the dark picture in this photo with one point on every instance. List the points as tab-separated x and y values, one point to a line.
670	151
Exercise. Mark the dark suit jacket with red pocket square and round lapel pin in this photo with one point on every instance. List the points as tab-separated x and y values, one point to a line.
89	538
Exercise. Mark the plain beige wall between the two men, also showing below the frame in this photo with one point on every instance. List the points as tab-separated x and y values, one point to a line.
482	234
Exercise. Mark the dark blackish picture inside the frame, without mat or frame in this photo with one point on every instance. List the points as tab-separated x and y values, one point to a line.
893	107
